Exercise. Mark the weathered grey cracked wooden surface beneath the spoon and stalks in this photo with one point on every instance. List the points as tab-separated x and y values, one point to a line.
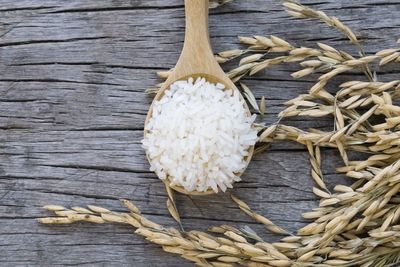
72	107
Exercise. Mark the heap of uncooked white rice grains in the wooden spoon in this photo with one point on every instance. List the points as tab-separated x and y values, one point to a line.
198	136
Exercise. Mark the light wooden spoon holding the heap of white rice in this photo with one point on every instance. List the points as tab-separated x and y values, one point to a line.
197	60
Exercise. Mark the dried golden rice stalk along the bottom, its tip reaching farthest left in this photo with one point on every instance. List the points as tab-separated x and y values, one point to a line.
201	248
